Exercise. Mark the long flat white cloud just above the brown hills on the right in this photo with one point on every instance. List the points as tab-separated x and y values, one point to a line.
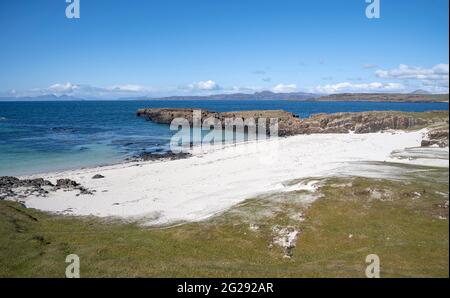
362	87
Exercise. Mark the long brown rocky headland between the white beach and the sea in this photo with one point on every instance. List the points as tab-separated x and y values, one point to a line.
290	124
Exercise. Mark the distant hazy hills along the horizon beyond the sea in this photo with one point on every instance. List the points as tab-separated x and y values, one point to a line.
416	96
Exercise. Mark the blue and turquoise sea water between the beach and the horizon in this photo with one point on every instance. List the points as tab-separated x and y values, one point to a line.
47	136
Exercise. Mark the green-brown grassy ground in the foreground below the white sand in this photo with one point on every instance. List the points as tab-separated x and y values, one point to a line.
404	222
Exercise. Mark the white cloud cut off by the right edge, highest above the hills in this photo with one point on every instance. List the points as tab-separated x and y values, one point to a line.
438	72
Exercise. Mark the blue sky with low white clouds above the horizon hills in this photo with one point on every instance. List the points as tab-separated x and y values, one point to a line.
147	47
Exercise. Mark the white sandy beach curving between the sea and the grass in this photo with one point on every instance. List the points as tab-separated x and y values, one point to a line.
198	187
